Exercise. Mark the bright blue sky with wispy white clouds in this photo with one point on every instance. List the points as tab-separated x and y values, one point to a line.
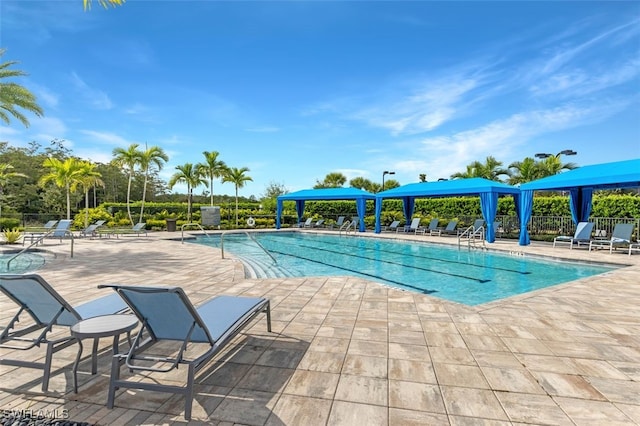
296	90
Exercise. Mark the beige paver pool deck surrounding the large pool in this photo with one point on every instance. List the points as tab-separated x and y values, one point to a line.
347	351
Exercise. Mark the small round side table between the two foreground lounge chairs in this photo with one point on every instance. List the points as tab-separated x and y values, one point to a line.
95	328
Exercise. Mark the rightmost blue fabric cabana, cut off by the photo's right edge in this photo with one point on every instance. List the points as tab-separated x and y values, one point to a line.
580	183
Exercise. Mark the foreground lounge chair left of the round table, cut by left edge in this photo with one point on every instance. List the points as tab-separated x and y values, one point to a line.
48	312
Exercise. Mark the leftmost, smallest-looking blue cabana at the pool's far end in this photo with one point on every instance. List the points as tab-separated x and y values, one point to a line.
358	195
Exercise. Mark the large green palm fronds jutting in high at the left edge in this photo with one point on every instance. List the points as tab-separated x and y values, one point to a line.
14	96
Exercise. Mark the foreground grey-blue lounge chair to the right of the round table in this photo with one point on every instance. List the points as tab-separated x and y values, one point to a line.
167	315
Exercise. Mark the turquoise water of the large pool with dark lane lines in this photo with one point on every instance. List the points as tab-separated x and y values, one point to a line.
466	276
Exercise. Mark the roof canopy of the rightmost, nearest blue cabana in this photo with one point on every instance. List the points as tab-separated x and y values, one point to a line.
619	174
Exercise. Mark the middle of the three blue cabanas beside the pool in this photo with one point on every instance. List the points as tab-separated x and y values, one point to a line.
488	191
